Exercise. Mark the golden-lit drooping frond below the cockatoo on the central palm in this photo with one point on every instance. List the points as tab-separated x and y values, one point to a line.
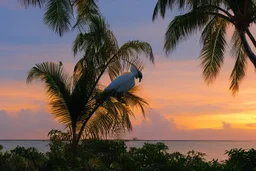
113	115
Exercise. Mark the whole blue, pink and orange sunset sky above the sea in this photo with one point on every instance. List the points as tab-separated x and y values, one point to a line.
182	106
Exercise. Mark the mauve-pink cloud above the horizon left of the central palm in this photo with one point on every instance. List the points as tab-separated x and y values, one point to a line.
26	124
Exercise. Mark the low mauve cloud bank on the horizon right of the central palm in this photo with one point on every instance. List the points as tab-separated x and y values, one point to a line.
159	128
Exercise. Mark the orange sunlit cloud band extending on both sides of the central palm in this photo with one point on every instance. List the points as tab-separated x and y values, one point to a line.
174	89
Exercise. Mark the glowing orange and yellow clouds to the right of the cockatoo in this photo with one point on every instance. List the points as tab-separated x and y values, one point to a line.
176	90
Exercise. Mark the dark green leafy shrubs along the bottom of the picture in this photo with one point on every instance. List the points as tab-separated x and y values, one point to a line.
113	155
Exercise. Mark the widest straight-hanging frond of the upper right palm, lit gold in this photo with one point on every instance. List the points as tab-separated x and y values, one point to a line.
212	54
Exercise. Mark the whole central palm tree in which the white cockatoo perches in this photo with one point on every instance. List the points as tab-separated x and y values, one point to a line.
79	101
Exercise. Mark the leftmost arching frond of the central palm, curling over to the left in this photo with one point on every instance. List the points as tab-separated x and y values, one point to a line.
57	84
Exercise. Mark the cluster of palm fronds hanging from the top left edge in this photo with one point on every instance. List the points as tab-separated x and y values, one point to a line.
63	15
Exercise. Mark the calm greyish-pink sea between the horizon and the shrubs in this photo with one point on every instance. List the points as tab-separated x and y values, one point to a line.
213	149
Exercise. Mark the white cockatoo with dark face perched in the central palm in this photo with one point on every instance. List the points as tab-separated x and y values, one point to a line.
124	82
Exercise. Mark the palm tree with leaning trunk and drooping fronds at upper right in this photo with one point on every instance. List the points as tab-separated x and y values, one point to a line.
213	18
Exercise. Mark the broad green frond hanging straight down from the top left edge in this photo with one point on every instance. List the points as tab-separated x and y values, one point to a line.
58	15
